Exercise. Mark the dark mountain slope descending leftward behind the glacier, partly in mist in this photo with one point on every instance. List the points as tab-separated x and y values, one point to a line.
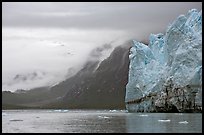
99	84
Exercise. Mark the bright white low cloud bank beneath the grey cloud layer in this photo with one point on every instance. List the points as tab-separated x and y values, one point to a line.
57	52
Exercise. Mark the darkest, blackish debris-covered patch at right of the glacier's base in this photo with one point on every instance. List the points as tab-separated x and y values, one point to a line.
178	99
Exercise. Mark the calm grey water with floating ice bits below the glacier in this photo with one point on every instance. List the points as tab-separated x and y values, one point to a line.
98	121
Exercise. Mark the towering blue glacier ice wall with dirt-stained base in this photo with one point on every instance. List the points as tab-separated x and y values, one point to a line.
166	75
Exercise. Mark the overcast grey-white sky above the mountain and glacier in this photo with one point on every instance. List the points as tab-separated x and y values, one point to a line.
42	42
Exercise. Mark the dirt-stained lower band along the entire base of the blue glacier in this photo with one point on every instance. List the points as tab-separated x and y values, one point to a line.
170	99
